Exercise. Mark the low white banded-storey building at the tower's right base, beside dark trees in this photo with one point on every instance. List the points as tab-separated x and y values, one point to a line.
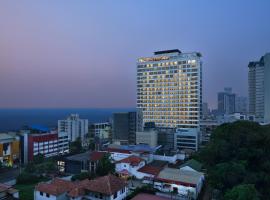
187	139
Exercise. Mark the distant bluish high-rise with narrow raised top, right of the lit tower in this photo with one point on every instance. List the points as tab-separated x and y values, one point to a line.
226	102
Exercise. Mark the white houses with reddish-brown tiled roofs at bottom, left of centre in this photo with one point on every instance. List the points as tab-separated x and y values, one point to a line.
107	187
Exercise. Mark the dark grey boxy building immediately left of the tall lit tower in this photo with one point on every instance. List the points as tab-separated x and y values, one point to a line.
124	127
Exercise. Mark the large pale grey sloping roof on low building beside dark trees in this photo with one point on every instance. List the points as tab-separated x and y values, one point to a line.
178	176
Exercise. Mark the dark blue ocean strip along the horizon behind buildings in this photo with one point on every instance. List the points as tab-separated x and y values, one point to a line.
14	119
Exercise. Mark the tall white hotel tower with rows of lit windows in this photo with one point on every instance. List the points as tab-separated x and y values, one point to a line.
169	88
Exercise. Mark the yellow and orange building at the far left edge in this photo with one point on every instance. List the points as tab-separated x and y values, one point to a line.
9	149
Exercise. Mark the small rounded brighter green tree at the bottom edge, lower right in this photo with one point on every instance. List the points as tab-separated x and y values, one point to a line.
242	192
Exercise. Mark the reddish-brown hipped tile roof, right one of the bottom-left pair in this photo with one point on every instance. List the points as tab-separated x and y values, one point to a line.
107	185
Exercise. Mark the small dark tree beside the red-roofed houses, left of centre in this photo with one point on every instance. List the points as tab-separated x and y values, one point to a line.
105	166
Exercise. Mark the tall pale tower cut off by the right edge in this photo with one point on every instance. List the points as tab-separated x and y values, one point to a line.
259	89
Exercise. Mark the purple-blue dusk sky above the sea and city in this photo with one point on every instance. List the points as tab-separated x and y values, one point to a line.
83	53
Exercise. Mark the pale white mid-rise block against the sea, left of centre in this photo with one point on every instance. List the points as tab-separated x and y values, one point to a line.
74	127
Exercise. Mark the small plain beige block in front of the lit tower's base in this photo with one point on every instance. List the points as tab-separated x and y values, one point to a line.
148	137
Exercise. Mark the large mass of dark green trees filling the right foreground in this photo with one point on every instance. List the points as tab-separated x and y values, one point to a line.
238	154
